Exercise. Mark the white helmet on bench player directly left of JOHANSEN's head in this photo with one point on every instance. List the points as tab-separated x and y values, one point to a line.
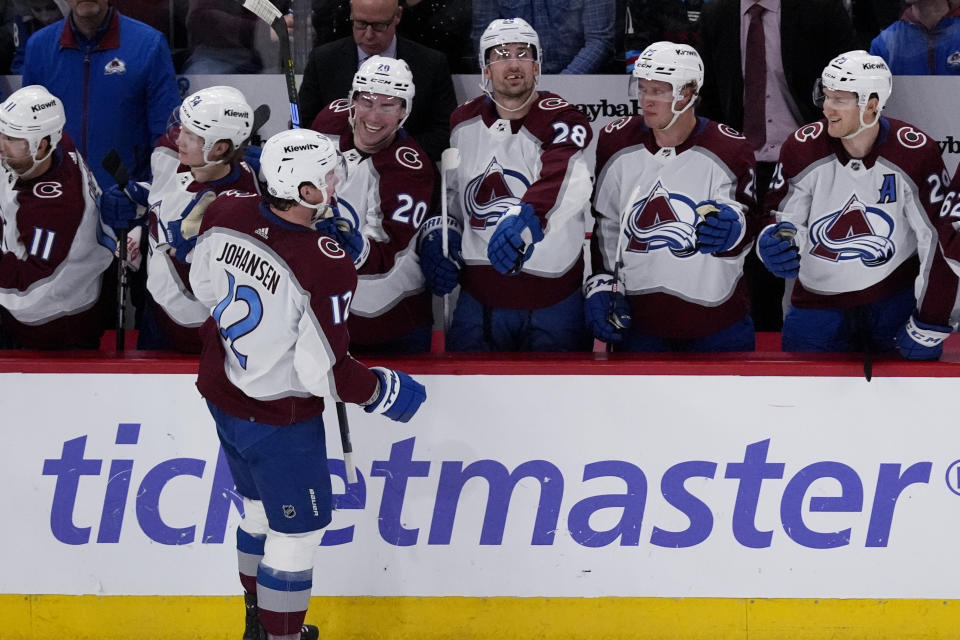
215	114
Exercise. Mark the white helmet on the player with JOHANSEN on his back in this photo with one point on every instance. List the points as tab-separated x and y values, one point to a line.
297	156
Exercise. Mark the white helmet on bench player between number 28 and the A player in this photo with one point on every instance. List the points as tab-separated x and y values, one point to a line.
679	65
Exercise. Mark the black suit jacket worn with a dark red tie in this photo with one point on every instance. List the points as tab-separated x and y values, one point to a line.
812	32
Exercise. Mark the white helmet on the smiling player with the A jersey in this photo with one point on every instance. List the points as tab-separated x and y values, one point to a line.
862	74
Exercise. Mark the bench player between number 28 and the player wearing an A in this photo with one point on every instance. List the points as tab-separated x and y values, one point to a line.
675	218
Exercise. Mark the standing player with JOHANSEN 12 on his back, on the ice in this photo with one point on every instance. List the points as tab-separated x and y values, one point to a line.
274	353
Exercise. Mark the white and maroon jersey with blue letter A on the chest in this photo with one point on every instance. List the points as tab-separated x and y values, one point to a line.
867	228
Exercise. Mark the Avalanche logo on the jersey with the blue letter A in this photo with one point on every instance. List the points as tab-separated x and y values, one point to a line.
855	232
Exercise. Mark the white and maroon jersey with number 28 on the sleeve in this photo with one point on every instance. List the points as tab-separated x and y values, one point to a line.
537	160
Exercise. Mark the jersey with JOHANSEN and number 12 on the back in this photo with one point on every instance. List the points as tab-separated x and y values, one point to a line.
278	296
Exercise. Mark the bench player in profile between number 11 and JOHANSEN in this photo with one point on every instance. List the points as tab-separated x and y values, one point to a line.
198	158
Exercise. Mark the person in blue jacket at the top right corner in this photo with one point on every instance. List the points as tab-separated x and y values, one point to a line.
924	41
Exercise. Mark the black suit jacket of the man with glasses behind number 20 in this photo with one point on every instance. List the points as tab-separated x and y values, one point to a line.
329	76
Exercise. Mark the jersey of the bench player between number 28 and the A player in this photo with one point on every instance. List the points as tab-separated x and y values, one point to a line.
650	195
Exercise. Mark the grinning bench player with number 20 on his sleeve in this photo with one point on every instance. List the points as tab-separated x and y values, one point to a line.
386	196
